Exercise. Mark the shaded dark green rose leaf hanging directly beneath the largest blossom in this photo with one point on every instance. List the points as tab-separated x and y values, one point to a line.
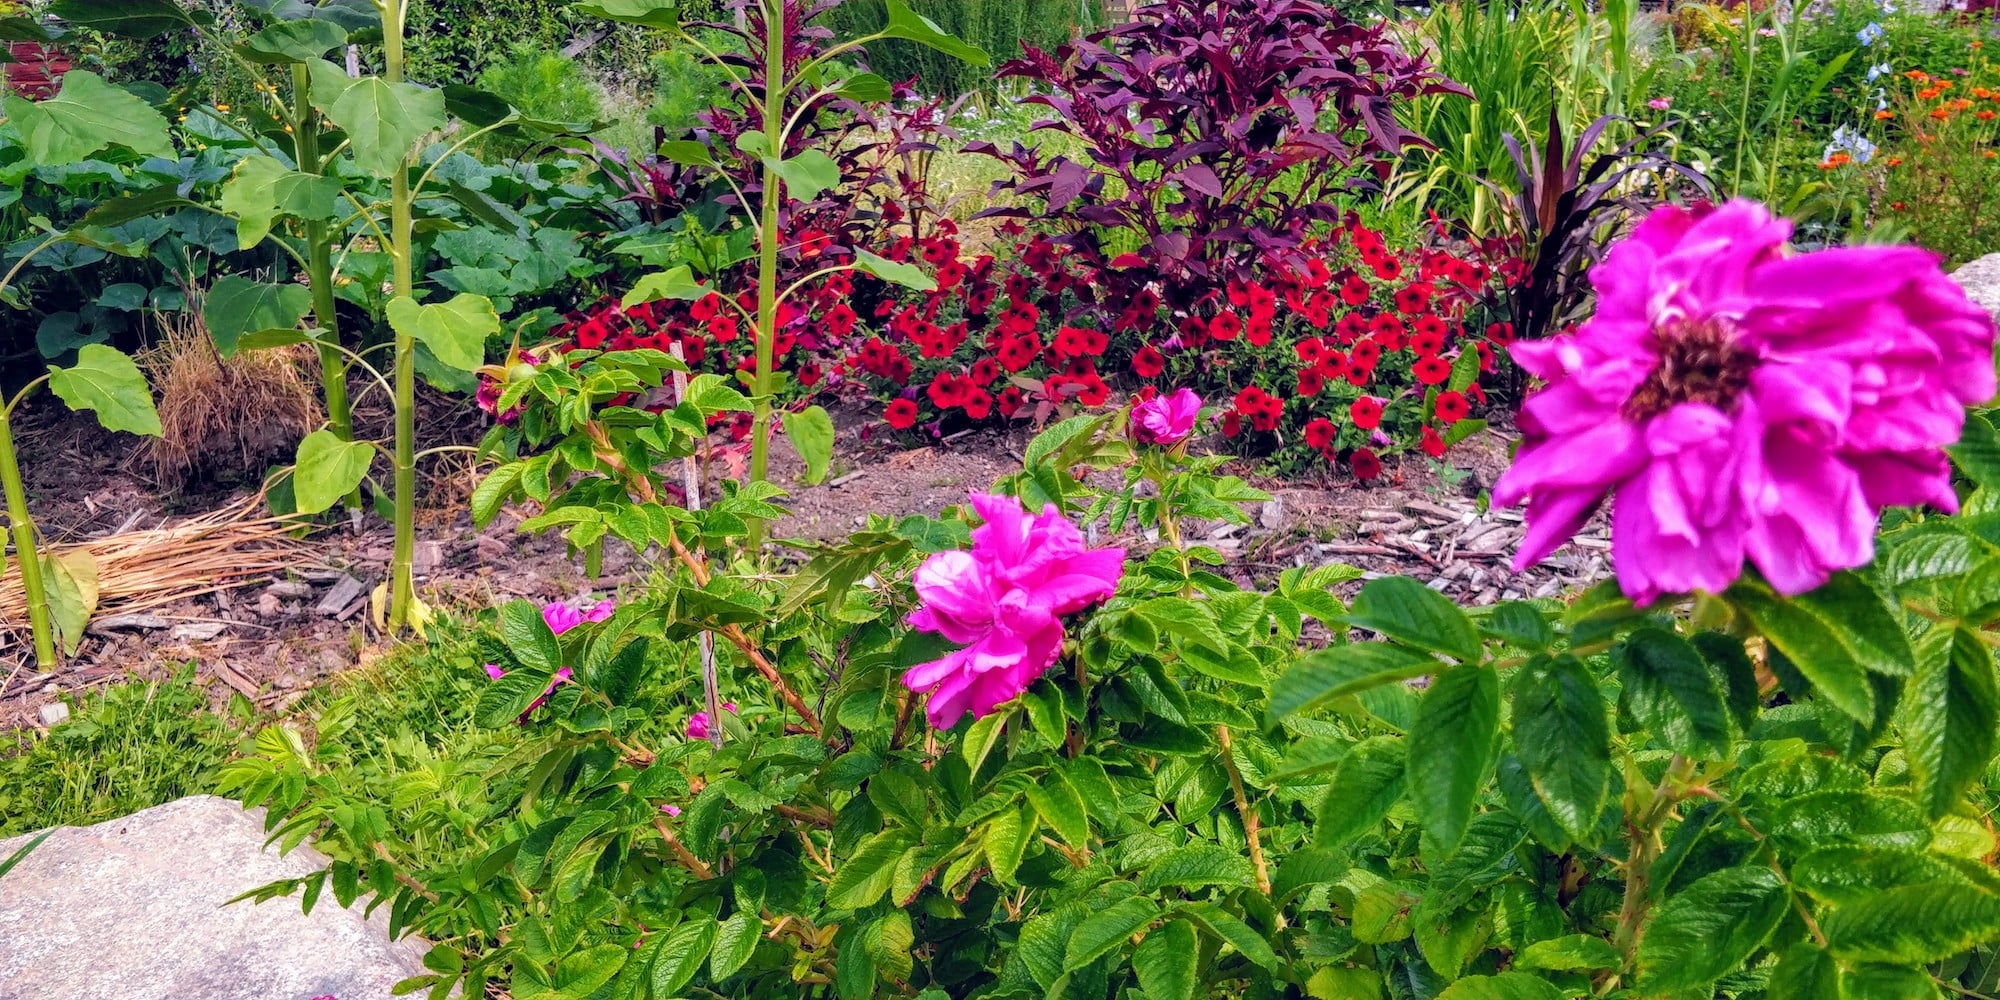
1675	693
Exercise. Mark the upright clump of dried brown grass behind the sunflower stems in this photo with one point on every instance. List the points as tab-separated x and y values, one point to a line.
223	415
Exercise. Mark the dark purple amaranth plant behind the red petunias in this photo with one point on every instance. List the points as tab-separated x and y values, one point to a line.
1217	135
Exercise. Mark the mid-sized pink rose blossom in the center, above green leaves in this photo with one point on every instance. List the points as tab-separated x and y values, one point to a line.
1005	603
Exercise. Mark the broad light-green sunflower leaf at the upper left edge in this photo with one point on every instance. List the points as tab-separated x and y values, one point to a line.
87	117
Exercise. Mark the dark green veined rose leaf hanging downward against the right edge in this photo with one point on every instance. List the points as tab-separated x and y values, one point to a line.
1951	717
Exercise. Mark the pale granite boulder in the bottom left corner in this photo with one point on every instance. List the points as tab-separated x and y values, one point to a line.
135	911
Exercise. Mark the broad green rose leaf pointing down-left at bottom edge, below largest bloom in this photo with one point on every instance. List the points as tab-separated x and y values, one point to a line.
1711	929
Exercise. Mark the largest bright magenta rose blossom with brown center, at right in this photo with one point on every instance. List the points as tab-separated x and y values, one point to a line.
1747	403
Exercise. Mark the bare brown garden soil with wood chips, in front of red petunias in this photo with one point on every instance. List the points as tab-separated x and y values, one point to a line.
273	637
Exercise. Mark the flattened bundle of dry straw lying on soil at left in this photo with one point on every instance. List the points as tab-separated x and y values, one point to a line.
159	567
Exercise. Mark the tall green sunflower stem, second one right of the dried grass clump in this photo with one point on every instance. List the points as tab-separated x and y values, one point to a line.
403	587
